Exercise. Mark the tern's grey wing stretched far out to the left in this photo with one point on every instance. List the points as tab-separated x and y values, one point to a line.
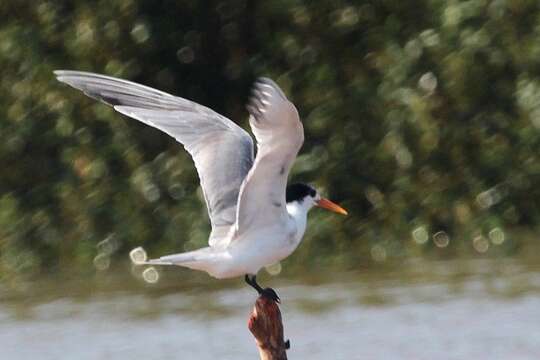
221	150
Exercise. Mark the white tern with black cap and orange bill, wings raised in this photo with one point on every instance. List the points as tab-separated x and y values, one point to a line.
257	220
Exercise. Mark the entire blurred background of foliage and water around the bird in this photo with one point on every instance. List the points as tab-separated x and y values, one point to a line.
422	118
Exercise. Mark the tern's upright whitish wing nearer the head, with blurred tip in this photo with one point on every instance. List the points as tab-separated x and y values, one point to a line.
279	134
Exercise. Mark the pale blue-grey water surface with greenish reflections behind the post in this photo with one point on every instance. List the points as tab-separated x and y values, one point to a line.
421	310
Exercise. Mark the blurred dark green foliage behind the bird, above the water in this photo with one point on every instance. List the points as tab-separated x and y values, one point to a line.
422	118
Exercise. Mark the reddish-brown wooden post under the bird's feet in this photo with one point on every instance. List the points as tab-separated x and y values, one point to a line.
266	326
